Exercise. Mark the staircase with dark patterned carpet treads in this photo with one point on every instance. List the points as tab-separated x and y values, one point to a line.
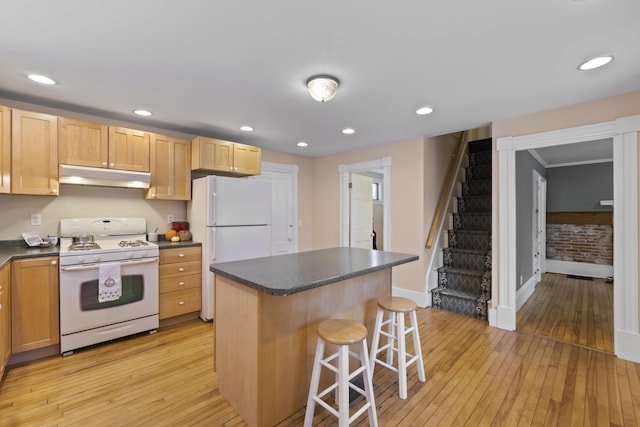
464	281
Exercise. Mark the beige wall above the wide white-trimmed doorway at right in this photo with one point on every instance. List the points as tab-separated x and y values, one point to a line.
598	111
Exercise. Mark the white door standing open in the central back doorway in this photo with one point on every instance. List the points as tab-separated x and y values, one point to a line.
361	212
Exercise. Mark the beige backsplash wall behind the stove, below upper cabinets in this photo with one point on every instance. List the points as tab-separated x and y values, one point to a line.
83	201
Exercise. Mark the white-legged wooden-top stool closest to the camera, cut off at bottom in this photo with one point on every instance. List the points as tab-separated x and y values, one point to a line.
341	333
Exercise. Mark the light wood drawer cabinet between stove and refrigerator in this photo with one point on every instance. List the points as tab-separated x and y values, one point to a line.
180	281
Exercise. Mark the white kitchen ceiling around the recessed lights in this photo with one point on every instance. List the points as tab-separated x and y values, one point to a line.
207	67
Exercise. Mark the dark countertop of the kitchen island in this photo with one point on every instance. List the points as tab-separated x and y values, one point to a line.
291	273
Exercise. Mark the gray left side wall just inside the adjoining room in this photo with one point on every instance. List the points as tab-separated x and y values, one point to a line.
525	164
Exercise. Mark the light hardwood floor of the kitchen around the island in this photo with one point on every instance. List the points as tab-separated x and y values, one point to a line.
476	376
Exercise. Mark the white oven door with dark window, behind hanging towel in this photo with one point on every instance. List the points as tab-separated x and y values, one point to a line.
79	306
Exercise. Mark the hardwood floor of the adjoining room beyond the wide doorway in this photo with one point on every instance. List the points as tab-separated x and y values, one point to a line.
570	310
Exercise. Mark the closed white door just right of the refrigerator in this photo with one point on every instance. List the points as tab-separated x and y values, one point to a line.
283	217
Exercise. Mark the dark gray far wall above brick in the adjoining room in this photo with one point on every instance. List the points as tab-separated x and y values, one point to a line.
579	188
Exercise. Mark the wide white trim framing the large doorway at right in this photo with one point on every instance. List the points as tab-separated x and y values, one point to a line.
625	158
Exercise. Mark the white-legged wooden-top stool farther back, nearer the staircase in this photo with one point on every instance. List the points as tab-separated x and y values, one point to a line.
396	332
